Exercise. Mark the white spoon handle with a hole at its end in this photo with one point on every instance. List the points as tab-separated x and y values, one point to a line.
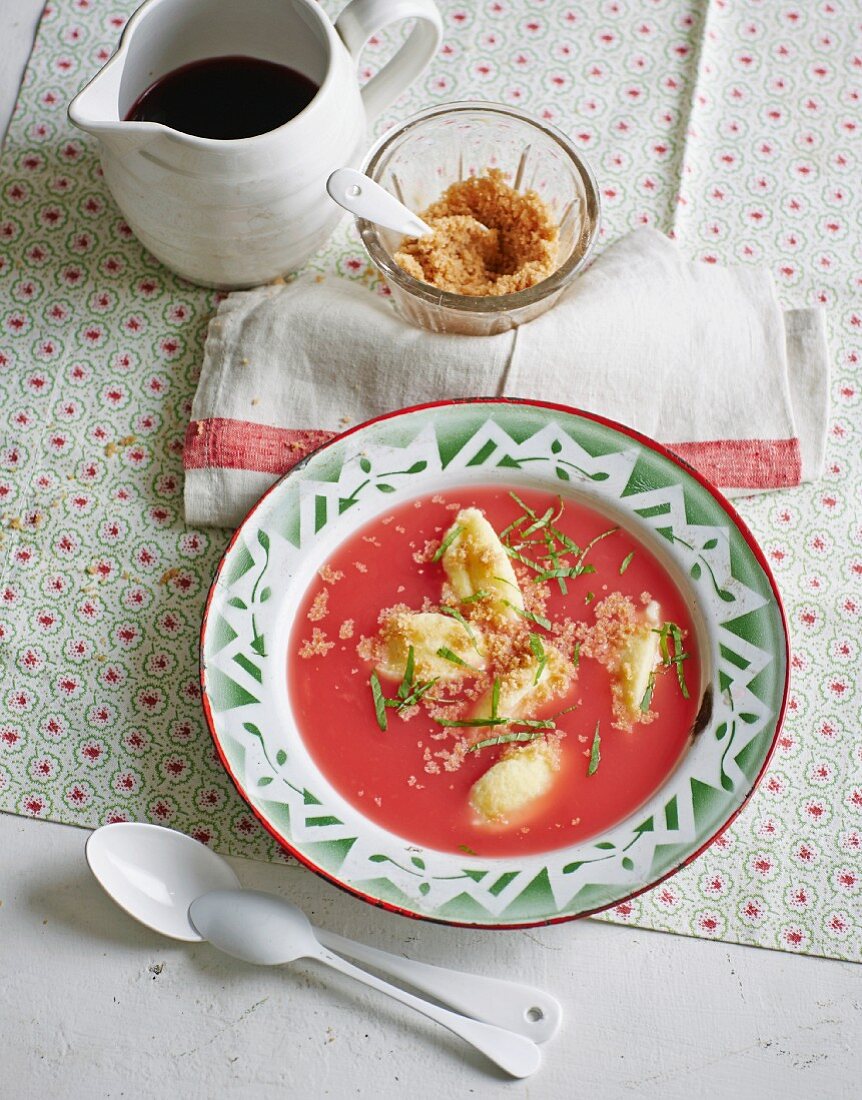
522	1009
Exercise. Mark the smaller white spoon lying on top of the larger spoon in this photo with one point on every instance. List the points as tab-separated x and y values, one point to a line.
283	933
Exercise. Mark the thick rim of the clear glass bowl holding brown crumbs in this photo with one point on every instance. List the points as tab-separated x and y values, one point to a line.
487	304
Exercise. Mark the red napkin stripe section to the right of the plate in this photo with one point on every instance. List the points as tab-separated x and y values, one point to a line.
759	464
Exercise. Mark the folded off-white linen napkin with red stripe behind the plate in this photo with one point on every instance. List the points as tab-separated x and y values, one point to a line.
699	357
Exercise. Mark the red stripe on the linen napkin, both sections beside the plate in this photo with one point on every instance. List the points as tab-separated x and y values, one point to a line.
240	445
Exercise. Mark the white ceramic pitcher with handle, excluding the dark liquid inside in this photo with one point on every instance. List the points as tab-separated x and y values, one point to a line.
236	214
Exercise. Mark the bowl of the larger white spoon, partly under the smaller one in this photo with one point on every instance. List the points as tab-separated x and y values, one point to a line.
156	874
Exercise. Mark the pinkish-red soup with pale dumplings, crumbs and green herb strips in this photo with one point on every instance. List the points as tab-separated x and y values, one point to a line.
558	648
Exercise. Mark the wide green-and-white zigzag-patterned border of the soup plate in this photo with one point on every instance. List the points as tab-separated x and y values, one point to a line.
403	458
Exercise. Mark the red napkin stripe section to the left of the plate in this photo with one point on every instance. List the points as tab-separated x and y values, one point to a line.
240	445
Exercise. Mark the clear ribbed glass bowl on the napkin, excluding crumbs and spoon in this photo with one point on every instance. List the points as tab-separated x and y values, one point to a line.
418	161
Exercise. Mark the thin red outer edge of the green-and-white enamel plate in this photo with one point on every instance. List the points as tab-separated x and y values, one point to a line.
623	430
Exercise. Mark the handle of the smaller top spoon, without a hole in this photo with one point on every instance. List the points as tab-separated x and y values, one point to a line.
517	1055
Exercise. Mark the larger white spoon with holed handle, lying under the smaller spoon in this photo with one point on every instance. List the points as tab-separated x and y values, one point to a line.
156	874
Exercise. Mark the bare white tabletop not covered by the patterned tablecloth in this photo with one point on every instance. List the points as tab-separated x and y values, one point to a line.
94	1006
